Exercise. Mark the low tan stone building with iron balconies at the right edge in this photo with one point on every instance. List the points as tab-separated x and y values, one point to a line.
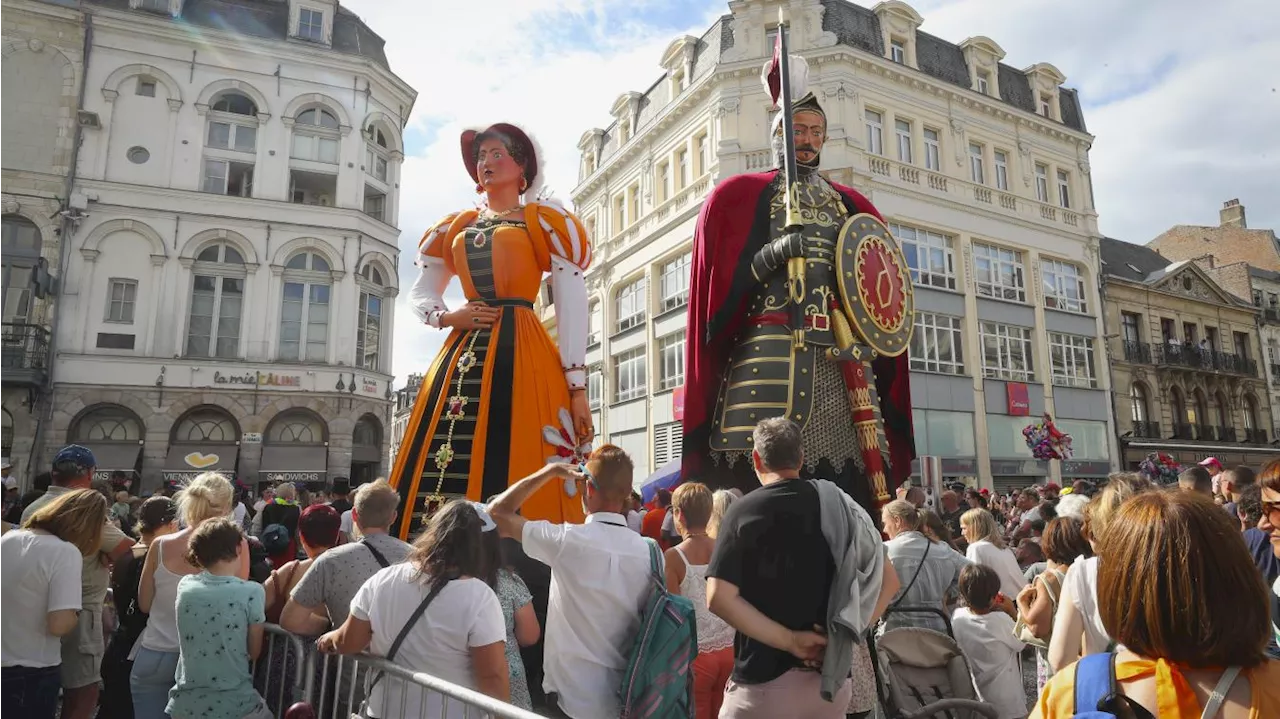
1186	361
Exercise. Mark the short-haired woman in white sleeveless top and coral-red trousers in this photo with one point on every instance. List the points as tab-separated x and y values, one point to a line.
692	506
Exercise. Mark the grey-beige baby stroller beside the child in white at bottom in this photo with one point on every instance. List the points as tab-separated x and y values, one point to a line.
922	674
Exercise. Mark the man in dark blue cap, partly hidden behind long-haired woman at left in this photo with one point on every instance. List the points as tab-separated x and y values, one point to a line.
84	648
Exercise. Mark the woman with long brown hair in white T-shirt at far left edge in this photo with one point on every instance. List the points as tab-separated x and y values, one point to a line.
40	598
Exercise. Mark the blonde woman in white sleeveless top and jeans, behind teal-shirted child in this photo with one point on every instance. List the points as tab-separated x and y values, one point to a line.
156	656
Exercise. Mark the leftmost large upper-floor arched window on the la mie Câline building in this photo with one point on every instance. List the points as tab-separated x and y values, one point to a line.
231	146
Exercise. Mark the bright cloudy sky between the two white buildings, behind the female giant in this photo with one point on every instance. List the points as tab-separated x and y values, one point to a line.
552	67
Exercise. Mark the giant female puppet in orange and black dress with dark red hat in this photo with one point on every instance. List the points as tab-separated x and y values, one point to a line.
501	399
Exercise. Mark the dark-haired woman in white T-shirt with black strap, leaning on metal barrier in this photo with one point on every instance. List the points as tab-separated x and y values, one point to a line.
460	636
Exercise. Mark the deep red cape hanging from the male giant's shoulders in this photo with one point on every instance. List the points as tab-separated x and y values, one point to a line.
732	228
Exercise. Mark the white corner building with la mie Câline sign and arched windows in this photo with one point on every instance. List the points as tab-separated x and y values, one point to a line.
226	299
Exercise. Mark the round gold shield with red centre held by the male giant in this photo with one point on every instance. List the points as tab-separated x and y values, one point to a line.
876	286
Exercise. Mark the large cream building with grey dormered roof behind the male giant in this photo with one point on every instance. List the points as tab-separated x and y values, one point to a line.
981	171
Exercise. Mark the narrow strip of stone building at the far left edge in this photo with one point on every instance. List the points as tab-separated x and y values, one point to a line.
42	76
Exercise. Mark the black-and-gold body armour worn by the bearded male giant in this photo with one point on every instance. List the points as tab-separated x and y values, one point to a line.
766	377
